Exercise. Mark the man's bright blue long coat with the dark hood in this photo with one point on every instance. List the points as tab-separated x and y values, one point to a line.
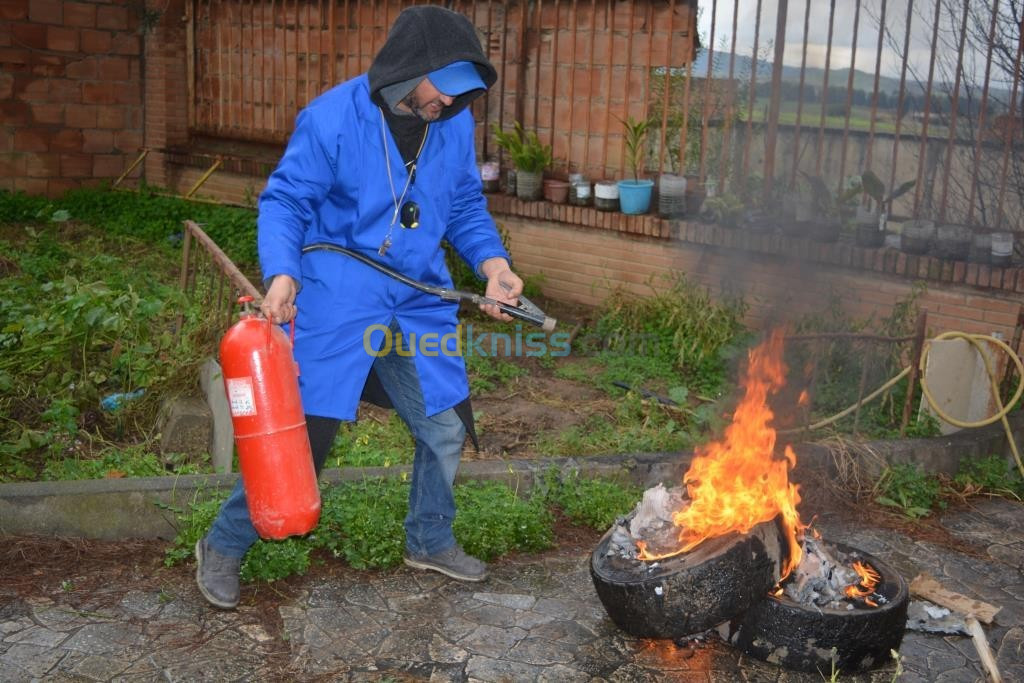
332	186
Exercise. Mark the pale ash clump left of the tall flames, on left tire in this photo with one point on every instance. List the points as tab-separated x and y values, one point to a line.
651	522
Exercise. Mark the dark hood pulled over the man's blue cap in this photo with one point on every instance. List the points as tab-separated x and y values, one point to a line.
423	39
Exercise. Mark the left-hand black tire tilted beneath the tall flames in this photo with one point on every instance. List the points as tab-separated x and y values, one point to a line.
689	593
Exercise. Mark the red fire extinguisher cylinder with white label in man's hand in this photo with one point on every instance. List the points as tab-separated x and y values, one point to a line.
262	381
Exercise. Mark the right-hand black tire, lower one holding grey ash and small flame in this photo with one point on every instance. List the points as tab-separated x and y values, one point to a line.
807	637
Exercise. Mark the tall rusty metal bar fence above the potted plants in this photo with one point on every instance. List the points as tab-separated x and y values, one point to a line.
923	91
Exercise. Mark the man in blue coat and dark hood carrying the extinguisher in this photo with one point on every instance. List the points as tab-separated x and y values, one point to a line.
383	164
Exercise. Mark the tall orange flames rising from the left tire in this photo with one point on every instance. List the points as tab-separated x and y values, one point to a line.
737	484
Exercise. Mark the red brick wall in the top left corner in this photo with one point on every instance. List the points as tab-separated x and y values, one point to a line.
71	93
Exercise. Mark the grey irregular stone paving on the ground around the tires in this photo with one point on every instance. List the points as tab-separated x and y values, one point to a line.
535	620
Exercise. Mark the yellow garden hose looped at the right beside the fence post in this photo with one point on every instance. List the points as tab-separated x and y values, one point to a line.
994	383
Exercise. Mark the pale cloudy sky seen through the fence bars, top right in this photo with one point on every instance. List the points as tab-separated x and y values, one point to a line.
923	18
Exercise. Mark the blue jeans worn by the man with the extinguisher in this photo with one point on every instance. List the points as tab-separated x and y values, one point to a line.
439	448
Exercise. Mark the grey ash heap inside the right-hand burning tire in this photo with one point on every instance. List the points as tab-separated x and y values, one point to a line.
822	577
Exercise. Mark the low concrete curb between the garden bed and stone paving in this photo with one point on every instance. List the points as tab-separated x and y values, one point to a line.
114	509
